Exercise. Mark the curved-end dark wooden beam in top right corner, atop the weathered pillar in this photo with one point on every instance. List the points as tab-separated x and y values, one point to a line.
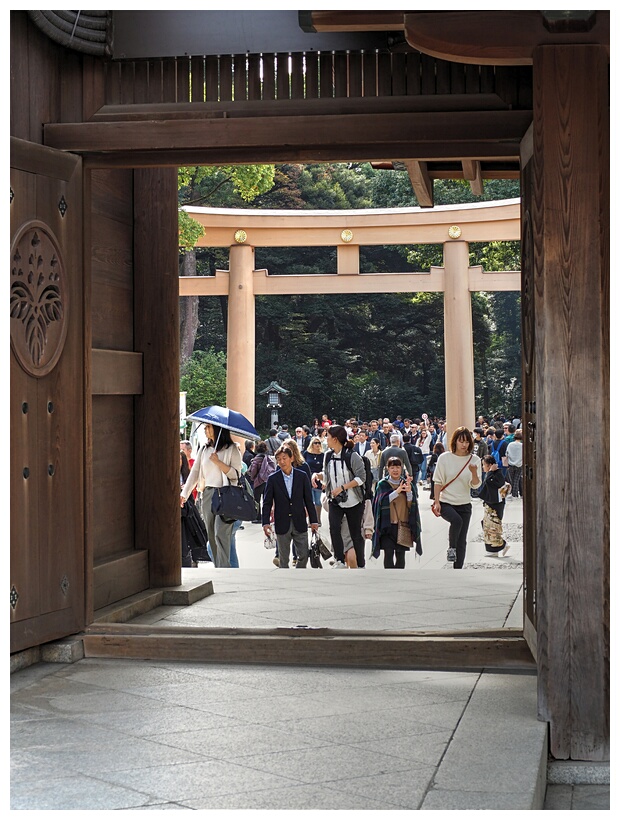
496	38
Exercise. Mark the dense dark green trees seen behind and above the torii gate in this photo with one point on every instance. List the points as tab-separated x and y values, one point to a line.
368	355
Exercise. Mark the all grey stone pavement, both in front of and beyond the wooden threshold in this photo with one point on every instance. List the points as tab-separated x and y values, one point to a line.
140	734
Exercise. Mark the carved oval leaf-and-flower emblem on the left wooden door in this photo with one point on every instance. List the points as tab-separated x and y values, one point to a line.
38	299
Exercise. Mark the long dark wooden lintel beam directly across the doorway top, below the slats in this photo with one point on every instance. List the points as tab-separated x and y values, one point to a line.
422	136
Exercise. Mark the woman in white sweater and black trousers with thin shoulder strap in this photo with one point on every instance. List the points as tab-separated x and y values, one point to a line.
456	473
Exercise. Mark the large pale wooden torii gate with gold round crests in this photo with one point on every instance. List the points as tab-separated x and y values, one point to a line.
455	226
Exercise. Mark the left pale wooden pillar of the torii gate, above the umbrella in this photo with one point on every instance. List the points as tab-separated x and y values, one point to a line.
241	332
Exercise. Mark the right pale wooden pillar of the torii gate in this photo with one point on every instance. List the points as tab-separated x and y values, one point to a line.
458	338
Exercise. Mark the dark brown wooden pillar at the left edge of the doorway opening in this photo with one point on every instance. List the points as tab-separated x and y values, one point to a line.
156	336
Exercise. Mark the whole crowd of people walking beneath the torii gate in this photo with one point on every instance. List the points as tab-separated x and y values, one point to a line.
365	477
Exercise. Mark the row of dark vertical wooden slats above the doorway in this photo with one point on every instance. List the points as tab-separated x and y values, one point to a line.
306	75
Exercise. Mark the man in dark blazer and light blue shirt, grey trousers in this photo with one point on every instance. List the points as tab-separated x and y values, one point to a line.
289	492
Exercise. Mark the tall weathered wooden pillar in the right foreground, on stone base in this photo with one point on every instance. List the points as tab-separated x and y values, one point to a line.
570	217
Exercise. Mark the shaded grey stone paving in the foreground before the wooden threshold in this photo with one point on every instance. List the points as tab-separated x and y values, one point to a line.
267	738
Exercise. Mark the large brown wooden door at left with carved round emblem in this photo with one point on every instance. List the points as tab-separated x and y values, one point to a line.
47	396
